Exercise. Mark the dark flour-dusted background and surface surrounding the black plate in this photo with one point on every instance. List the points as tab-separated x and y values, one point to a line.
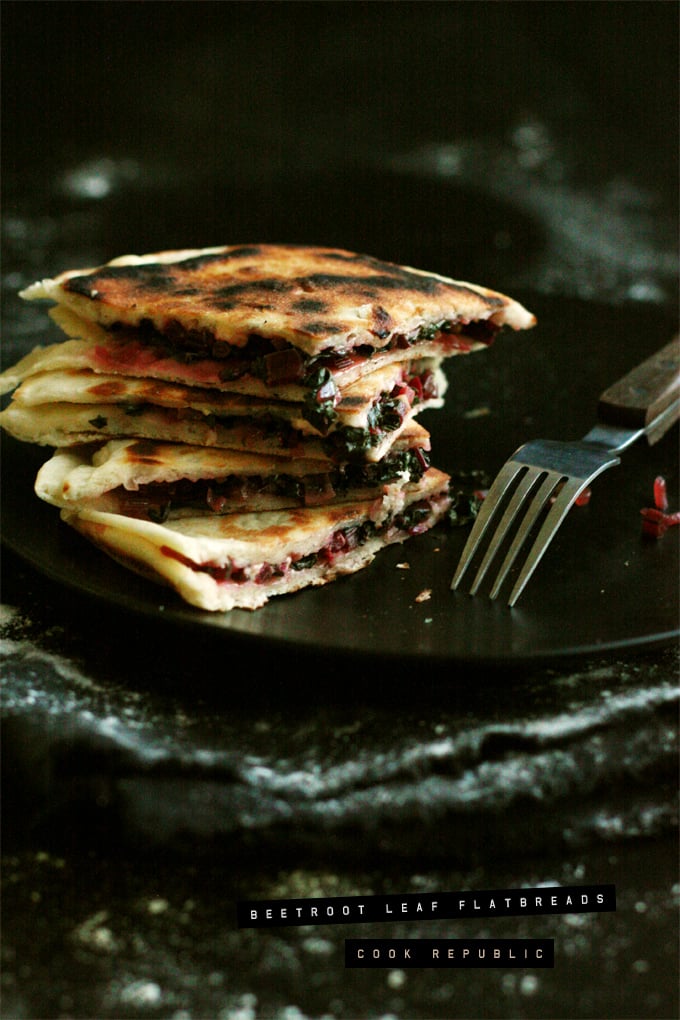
154	777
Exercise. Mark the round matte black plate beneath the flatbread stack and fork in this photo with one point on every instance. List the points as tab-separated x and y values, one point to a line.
601	586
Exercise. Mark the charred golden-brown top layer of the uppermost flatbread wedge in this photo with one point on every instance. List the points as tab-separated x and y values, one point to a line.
312	298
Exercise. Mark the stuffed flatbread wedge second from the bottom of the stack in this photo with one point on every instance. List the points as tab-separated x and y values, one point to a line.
166	481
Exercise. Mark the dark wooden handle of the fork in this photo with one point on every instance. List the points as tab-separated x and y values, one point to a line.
646	392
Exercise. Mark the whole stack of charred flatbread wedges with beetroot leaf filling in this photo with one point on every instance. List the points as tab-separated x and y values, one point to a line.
240	423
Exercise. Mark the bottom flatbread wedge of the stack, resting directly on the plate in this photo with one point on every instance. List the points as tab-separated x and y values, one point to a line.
243	560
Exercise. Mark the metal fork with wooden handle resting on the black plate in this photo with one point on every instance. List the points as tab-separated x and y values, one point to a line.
538	486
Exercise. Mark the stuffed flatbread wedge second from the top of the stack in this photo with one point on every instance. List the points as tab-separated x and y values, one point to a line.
66	409
